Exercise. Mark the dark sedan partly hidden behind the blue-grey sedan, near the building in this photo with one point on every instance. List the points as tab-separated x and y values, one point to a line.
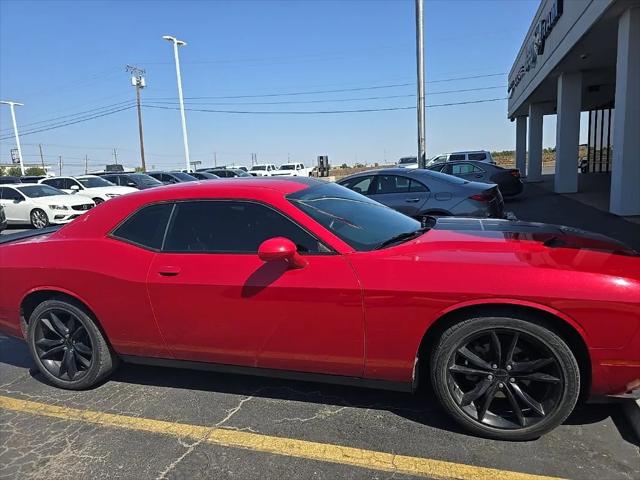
508	179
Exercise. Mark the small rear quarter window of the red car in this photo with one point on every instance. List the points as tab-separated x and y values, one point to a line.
146	227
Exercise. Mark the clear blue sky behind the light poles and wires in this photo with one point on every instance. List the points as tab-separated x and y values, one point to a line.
60	58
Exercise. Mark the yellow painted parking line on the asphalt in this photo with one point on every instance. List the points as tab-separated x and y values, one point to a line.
290	447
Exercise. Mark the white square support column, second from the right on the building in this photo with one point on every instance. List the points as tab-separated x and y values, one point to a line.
568	132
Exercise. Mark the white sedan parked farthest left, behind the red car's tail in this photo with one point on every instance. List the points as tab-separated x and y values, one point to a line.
40	205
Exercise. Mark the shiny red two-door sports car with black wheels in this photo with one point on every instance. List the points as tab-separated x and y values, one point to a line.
512	322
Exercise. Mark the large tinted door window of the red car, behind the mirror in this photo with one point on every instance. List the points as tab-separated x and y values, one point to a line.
231	227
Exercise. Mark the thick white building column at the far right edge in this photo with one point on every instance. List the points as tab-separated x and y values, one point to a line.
625	169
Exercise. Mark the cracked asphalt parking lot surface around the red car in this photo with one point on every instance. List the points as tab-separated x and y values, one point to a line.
148	422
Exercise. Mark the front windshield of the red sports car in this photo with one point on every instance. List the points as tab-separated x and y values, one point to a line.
359	221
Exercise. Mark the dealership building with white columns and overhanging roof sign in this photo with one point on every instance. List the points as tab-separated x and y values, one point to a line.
582	56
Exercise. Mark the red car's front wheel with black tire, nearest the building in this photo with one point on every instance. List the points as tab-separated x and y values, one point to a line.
544	396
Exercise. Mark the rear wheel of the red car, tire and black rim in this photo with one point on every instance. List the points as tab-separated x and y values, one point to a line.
44	337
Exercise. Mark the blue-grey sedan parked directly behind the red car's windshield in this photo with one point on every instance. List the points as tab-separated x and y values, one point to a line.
418	192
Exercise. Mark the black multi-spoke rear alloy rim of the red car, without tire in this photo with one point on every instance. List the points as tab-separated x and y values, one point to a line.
63	344
